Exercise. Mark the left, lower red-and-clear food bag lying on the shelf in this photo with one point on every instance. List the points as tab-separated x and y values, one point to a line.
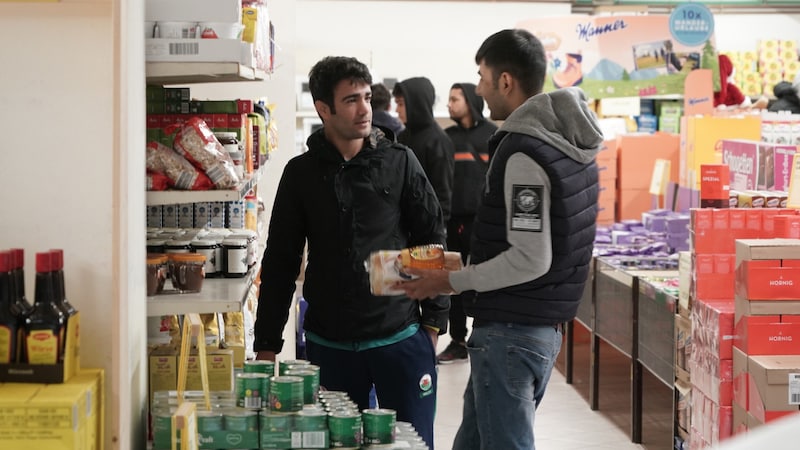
181	173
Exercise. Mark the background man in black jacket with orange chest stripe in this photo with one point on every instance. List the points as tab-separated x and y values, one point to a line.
470	136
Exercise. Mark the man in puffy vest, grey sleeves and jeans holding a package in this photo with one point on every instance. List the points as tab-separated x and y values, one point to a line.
532	241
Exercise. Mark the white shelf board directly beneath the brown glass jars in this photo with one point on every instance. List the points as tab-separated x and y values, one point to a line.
217	295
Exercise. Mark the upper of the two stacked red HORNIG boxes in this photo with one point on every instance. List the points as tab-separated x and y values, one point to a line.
768	279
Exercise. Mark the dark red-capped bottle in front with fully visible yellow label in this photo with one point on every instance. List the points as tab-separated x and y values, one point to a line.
44	327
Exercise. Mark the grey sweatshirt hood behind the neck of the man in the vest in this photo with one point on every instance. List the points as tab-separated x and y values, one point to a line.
561	118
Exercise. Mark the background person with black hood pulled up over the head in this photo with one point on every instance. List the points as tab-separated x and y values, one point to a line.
415	98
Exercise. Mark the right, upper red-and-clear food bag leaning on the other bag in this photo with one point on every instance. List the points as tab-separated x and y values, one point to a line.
197	143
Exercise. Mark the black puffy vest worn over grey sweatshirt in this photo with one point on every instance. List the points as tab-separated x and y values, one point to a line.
554	297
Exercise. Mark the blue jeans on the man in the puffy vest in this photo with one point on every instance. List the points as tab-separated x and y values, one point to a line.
510	366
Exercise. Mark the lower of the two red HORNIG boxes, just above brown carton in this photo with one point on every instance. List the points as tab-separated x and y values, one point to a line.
768	335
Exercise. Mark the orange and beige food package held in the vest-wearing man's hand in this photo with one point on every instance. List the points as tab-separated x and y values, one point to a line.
386	267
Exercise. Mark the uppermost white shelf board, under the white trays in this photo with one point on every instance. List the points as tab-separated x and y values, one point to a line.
166	73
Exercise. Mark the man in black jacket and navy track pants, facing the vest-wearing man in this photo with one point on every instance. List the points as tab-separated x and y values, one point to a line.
353	193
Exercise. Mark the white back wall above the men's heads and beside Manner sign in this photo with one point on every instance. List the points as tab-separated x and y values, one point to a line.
438	40
